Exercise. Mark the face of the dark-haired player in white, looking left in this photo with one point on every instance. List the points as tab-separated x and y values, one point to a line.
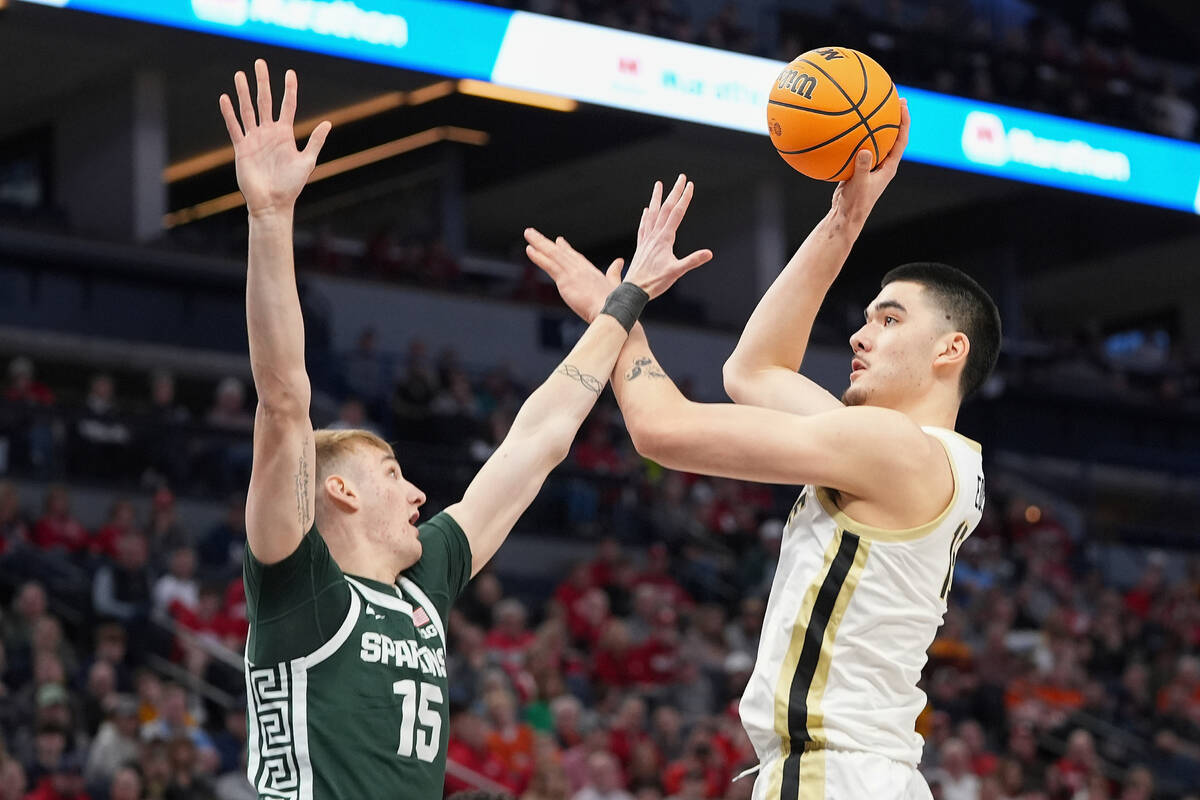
895	350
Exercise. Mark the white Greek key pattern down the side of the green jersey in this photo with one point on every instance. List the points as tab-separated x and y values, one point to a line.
279	775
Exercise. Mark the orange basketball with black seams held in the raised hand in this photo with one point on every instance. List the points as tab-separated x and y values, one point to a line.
826	106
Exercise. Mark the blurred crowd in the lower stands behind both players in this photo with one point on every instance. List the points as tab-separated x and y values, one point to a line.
1049	681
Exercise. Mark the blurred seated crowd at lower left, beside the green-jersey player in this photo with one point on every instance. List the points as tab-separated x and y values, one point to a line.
105	631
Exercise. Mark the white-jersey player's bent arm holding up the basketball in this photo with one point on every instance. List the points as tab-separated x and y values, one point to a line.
765	366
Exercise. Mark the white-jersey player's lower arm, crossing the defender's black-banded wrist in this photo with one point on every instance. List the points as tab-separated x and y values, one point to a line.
866	453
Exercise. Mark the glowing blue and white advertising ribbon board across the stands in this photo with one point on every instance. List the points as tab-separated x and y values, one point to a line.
680	81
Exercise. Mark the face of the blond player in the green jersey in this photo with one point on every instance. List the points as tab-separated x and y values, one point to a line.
394	503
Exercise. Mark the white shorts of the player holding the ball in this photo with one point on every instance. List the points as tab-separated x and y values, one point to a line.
838	775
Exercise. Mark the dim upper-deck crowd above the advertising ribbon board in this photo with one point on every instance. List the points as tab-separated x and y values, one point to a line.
1094	65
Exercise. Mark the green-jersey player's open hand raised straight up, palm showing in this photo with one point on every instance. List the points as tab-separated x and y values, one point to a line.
272	172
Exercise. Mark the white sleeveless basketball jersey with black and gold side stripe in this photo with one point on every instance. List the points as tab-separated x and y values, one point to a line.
853	611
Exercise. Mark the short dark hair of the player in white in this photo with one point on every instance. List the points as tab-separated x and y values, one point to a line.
968	308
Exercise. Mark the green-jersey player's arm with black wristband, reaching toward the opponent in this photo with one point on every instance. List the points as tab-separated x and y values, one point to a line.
547	425
